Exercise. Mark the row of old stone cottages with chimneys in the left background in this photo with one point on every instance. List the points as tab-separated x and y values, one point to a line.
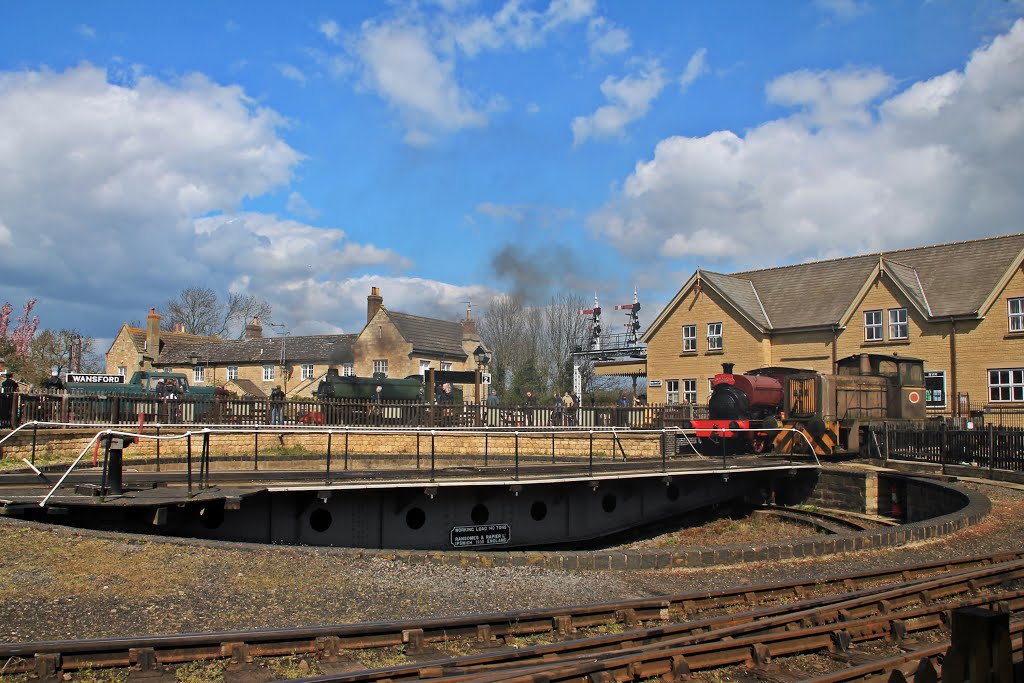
394	344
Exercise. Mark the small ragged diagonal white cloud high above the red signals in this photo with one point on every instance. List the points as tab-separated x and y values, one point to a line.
630	99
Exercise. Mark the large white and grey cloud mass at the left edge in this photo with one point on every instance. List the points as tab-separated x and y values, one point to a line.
107	190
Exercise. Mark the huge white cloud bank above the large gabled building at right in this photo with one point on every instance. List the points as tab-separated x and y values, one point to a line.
940	161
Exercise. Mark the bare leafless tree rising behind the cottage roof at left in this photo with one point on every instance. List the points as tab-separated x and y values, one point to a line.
200	312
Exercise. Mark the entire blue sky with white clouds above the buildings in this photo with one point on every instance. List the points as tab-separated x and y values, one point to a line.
450	151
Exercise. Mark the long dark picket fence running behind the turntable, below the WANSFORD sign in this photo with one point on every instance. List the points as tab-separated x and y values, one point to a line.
115	410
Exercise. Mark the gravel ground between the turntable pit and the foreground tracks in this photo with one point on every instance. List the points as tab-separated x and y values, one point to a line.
59	583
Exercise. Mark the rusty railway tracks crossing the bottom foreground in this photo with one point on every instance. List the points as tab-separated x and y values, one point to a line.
630	641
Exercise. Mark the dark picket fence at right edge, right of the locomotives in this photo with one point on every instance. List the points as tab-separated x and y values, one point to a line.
945	444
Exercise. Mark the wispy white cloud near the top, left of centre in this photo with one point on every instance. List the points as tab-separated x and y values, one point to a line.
402	67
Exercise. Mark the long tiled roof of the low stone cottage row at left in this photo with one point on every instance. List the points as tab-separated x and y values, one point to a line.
335	350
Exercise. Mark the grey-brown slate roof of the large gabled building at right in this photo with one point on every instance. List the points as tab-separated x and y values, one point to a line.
942	281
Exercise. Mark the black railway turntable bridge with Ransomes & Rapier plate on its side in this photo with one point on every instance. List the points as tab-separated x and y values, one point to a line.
497	501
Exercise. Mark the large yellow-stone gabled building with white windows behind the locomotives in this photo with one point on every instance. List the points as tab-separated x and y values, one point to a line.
958	307
